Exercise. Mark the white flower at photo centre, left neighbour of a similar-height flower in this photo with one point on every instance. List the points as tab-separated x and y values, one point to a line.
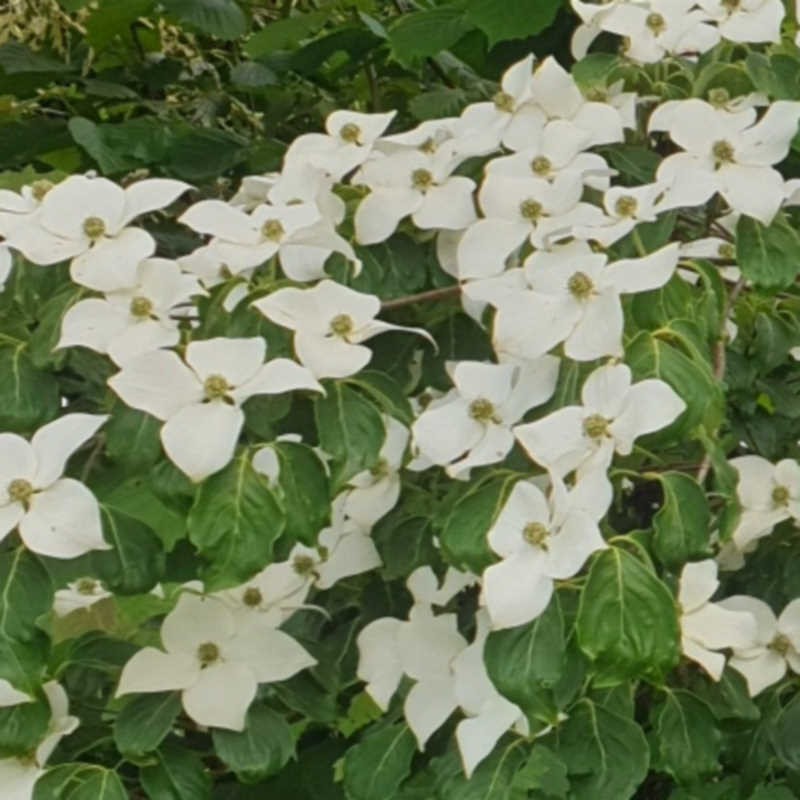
470	426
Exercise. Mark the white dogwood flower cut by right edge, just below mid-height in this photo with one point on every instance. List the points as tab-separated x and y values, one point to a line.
768	495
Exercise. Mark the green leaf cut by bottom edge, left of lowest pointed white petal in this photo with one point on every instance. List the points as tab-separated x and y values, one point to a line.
378	764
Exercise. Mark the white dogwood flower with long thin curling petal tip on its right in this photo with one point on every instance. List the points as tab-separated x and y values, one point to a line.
329	322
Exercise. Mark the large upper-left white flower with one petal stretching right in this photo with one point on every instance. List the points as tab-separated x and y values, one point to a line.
86	219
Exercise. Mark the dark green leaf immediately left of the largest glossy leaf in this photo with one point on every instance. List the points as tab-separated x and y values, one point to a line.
525	662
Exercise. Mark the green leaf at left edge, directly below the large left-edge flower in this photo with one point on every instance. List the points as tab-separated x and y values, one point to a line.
26	593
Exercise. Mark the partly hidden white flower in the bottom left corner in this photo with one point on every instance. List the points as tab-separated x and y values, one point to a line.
18	776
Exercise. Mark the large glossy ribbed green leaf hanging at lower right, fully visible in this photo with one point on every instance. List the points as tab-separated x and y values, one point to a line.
619	603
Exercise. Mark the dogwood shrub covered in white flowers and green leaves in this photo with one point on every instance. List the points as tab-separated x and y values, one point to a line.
449	462
